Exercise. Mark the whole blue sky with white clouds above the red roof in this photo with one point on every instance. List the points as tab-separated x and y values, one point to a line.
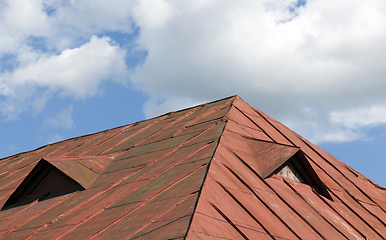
74	67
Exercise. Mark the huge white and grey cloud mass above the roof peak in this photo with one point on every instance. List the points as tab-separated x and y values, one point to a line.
279	57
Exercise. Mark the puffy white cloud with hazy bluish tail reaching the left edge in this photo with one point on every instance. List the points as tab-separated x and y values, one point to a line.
74	72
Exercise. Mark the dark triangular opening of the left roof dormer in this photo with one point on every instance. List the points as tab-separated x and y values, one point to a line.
45	181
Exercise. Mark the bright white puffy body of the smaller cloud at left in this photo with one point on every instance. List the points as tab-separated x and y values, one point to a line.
76	71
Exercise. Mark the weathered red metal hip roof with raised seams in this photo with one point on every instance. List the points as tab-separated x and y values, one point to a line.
207	172
